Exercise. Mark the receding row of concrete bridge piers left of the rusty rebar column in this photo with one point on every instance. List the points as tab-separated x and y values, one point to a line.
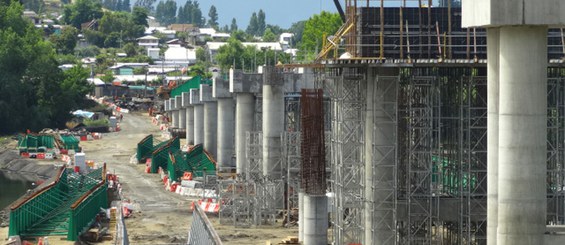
220	115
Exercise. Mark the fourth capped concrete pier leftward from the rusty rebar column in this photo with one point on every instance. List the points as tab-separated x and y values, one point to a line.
210	119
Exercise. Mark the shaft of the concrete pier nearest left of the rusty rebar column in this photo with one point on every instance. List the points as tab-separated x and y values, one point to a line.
273	126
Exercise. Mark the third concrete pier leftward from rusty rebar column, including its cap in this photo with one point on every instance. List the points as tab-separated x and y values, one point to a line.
226	124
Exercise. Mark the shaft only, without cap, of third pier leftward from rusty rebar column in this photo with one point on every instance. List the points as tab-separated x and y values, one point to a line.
226	128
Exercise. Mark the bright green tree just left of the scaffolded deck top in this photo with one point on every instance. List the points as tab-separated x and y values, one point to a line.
315	28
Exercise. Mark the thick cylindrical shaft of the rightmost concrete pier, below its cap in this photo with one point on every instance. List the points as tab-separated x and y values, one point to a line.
522	135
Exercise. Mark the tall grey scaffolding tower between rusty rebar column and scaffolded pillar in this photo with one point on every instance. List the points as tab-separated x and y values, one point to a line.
346	88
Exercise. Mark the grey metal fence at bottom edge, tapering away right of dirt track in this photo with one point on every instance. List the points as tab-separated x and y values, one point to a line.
201	230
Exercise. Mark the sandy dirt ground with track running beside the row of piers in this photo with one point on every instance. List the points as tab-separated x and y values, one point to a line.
160	217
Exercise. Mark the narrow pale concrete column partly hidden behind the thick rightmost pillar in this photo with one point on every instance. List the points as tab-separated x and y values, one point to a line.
493	48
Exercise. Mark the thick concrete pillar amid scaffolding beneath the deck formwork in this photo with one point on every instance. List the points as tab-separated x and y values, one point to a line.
379	163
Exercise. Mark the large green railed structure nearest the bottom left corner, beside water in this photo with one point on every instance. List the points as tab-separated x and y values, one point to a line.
66	206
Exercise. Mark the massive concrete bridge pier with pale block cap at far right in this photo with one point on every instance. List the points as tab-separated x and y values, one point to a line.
521	30
